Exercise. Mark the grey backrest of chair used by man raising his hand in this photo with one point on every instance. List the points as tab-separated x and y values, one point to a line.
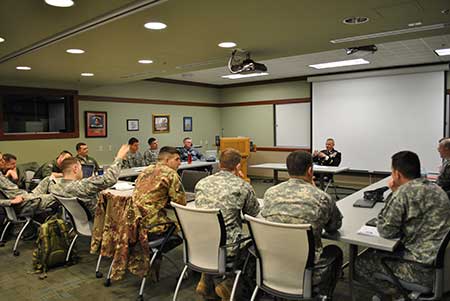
78	215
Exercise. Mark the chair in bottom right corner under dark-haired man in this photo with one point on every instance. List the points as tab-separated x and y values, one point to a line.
414	291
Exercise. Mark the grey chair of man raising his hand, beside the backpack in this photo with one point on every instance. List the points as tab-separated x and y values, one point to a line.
79	216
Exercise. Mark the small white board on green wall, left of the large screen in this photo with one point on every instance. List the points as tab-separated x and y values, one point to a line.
292	124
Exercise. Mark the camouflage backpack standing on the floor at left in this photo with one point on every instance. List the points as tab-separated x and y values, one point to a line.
52	245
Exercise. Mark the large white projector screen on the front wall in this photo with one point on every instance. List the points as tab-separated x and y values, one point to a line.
374	117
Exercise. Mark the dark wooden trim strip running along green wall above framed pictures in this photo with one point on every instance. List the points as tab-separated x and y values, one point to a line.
190	103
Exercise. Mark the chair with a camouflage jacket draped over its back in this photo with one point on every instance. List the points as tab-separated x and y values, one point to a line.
159	246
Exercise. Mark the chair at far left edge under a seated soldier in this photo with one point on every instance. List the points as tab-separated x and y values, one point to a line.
25	218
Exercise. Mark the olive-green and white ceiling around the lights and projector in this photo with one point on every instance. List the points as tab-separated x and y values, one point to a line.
286	35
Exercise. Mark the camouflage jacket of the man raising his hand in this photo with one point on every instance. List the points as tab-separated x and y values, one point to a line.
86	189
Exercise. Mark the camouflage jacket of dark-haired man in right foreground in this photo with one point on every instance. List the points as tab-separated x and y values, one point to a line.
419	214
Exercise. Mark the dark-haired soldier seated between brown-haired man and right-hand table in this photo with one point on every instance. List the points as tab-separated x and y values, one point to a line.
298	201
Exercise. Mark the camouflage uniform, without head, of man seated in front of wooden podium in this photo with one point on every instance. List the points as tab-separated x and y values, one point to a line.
230	194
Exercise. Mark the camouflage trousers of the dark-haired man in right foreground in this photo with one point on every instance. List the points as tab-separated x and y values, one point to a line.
369	263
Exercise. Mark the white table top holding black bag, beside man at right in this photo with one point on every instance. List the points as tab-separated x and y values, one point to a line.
355	218
